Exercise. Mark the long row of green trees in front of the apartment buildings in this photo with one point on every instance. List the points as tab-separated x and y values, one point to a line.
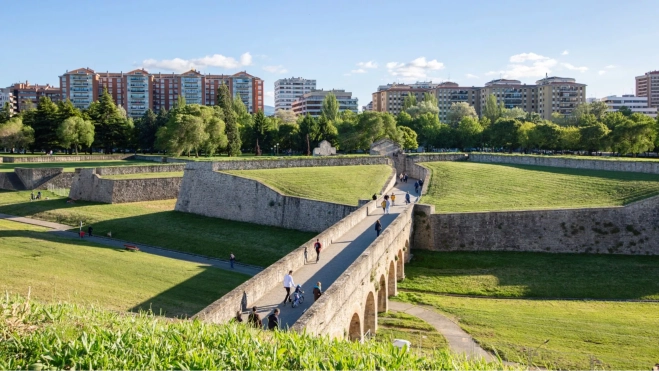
229	128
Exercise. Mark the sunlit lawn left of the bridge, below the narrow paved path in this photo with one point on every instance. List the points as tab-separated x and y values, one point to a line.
55	268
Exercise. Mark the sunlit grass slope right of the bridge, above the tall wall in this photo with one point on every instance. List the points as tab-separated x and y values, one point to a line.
465	187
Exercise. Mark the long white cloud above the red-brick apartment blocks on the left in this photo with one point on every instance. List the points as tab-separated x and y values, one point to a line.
182	65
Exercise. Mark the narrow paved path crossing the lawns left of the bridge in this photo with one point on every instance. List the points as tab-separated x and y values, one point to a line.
64	231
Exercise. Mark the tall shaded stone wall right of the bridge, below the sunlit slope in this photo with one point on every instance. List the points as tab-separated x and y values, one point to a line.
632	229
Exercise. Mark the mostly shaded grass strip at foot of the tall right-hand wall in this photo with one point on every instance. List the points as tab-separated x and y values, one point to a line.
543	275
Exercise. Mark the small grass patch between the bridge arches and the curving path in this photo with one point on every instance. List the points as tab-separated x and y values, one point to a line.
425	339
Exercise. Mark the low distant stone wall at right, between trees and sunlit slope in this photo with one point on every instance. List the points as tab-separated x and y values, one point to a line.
650	167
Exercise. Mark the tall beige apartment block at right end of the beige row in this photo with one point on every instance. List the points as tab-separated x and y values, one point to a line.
558	94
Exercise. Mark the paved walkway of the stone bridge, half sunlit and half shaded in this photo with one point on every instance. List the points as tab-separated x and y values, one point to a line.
334	259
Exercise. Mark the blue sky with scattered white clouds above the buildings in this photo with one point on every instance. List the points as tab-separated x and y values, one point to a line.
351	45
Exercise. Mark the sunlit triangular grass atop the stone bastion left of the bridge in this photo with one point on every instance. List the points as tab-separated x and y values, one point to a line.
339	184
